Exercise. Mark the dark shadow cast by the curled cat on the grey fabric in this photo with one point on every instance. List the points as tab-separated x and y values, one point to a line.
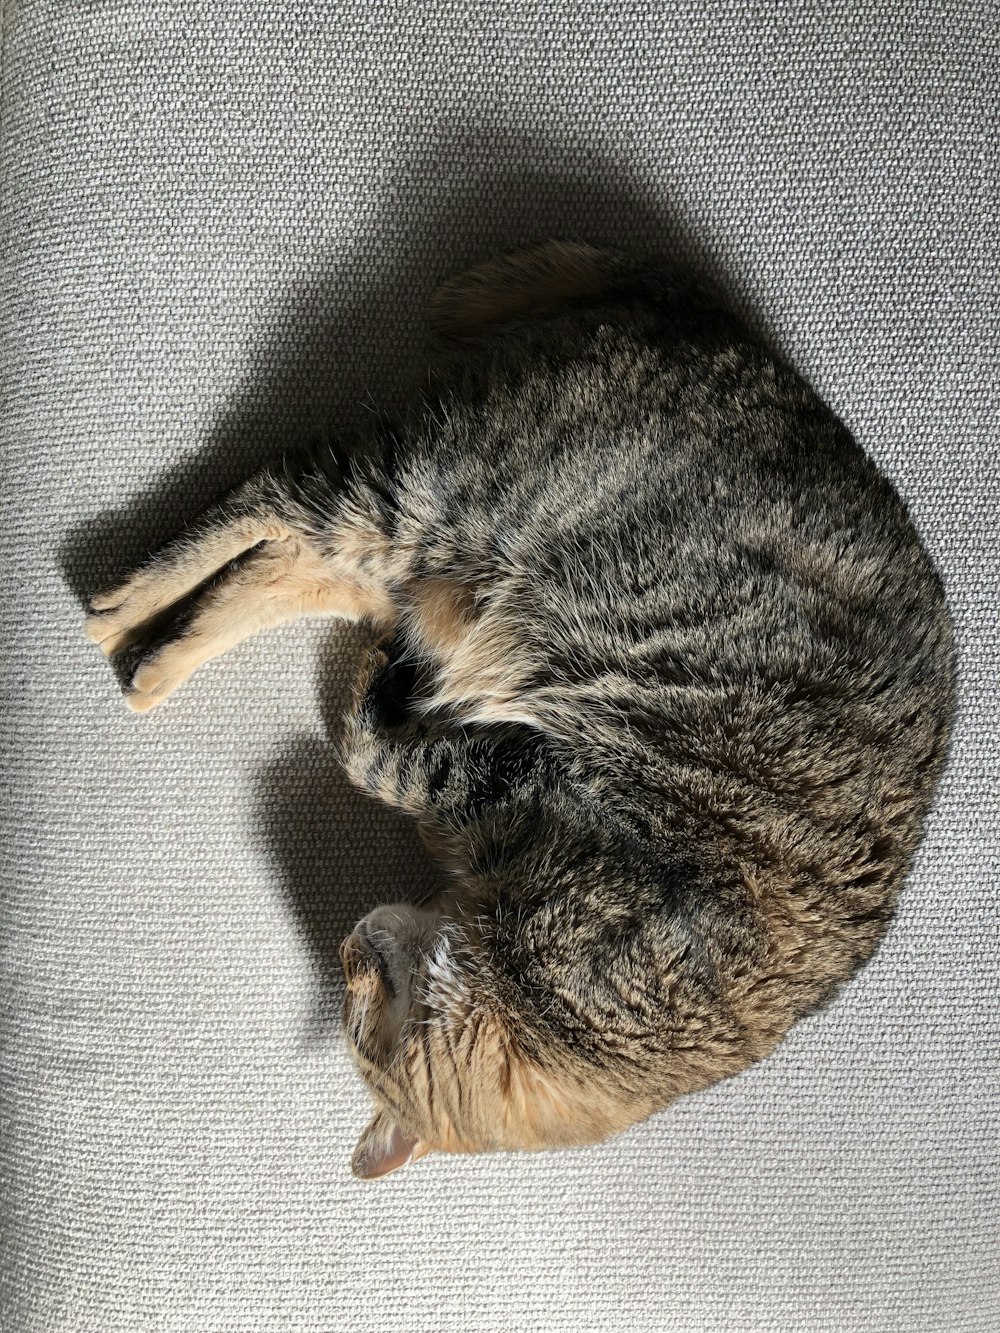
353	335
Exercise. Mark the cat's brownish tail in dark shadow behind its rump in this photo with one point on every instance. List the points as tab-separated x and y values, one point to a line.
523	286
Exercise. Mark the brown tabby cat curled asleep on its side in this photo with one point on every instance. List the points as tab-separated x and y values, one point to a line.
659	667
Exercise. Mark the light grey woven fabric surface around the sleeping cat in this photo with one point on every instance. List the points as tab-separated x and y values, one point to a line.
218	229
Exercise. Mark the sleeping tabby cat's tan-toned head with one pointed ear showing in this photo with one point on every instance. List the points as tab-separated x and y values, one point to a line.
458	1051
